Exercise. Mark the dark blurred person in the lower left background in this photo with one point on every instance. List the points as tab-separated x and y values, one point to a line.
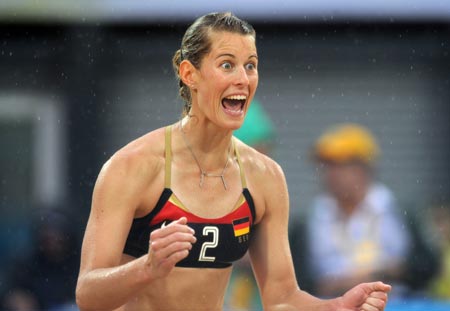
45	280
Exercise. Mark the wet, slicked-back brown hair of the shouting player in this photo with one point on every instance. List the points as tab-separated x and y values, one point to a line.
196	44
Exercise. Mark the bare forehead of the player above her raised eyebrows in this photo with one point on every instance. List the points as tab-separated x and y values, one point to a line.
233	43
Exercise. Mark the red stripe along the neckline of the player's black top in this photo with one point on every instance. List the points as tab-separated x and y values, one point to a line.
172	212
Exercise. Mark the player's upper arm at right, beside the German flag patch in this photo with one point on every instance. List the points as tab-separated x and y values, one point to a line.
269	250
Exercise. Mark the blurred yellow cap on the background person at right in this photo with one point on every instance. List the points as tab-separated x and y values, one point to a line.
347	142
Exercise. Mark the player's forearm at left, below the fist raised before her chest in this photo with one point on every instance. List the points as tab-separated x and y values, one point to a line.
109	288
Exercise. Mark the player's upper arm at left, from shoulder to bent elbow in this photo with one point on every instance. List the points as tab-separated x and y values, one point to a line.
116	195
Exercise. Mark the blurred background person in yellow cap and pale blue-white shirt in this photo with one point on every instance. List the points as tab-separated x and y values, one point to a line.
354	231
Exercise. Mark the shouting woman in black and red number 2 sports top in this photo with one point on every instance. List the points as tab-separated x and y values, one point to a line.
173	209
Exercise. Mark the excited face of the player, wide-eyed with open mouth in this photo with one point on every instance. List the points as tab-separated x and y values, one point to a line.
227	79
